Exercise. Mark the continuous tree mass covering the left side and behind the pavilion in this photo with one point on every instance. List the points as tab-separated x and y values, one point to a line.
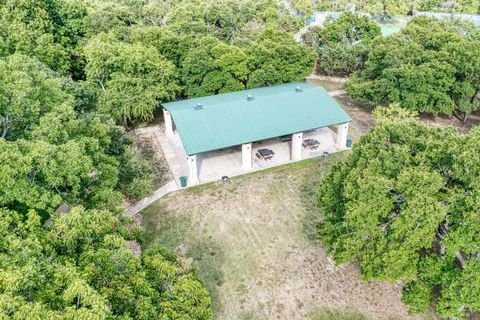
71	71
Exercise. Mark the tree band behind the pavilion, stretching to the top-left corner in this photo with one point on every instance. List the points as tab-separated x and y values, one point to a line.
159	44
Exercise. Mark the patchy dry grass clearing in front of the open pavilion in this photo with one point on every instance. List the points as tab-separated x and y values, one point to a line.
251	242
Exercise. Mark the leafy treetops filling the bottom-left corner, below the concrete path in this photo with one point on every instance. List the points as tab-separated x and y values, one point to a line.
80	266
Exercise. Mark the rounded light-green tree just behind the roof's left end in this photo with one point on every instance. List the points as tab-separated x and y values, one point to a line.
132	79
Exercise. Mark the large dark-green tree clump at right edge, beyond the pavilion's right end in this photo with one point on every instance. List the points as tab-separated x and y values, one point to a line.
430	66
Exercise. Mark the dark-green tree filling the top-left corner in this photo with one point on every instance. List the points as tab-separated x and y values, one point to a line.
46	30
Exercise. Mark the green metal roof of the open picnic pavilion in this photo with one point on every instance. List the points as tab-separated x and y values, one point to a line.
231	119
